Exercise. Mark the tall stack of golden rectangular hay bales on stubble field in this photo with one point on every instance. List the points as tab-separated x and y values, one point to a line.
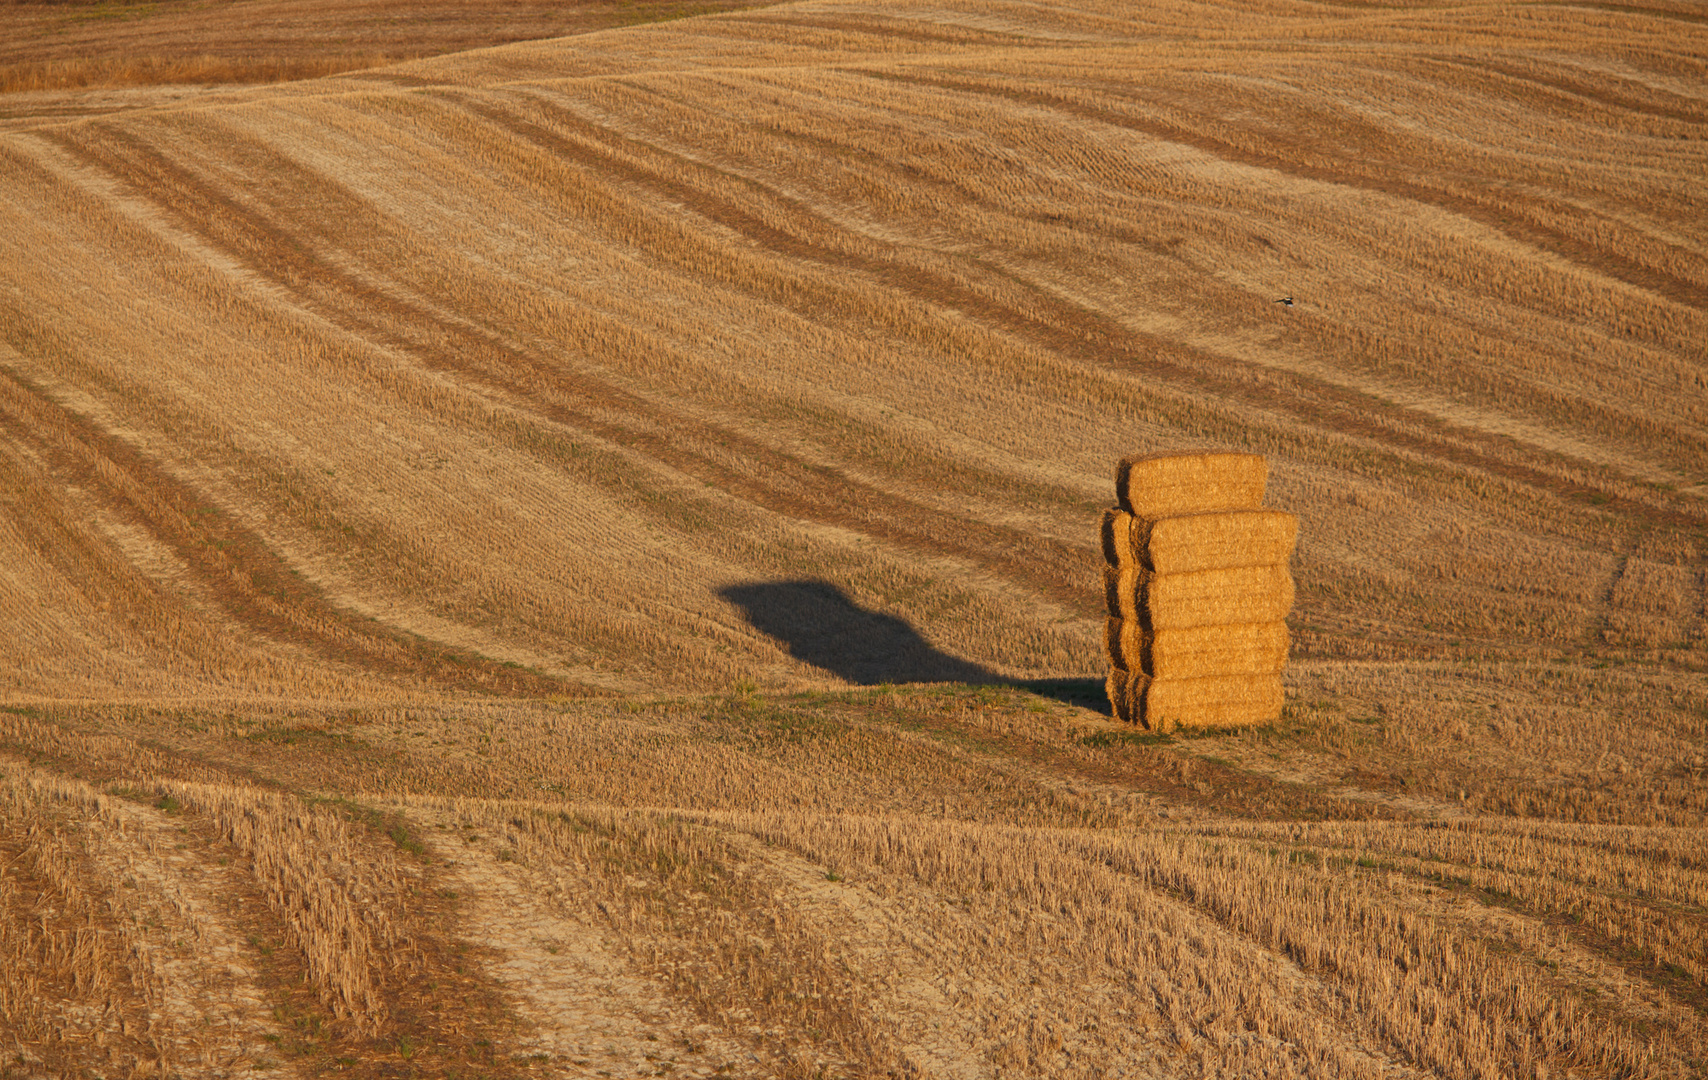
1198	590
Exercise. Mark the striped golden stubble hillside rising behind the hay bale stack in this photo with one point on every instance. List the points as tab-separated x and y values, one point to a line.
530	353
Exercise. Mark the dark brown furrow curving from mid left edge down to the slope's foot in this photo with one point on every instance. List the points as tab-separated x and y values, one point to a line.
247	578
